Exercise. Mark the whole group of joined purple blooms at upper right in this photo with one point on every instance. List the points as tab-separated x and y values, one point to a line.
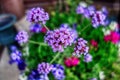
98	17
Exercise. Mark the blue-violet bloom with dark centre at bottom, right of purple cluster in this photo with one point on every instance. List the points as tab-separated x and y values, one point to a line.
58	72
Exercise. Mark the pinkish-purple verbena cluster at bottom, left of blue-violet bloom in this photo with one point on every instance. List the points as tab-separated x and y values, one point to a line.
44	68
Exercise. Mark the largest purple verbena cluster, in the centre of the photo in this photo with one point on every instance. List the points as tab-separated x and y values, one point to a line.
60	38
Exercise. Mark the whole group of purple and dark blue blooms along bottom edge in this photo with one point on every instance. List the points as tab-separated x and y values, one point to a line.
44	69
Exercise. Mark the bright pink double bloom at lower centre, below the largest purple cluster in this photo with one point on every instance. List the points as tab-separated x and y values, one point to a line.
72	61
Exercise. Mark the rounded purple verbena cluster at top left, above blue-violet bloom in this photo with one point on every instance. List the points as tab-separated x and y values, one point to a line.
37	15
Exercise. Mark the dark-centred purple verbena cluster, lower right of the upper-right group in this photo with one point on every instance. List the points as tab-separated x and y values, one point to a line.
98	18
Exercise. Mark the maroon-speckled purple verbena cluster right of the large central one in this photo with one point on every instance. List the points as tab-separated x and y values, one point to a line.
81	47
